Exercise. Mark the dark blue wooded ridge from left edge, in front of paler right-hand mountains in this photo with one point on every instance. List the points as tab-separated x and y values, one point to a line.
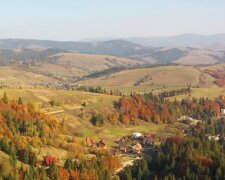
120	48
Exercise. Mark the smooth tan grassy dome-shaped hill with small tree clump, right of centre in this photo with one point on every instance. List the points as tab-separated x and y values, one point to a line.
167	77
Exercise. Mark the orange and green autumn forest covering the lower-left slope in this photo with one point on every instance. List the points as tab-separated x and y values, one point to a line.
24	129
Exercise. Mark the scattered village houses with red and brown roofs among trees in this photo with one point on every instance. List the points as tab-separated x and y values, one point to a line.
136	144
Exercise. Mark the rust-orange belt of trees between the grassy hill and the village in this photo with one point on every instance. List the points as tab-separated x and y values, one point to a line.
153	108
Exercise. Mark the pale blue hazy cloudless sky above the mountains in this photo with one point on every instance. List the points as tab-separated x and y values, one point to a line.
69	20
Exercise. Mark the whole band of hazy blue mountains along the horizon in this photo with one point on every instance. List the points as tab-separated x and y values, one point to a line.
181	49
